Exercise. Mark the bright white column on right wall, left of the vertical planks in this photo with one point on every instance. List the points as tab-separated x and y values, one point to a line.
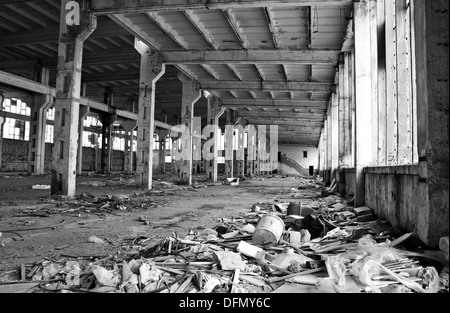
365	56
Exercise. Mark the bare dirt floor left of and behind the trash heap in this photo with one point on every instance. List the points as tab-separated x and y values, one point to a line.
157	214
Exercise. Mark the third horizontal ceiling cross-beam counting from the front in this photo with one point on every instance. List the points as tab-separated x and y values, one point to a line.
266	86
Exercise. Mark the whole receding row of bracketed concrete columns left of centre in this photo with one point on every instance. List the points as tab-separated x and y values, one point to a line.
69	117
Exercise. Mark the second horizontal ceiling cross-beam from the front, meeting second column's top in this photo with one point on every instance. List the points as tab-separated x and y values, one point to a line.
251	57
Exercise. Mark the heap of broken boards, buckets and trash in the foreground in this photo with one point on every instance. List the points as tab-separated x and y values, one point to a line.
326	246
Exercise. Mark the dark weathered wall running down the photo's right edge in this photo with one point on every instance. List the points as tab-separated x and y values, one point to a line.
437	19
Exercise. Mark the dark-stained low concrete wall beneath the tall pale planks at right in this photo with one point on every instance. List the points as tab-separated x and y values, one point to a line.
394	193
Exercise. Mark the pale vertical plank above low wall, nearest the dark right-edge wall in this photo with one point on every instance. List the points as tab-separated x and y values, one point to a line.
404	77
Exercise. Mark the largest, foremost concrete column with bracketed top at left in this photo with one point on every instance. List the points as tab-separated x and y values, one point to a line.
68	84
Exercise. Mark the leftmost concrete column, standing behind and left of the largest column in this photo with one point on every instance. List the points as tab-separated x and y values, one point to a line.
39	106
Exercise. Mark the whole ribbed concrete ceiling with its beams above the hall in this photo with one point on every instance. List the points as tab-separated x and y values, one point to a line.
274	62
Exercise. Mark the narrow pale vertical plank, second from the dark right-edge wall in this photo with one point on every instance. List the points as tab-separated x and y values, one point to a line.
391	83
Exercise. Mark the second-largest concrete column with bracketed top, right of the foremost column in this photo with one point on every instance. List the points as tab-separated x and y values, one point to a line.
152	68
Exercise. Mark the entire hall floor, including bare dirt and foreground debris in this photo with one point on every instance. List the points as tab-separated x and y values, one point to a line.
265	234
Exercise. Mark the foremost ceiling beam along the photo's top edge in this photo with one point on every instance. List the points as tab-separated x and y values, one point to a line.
127	6
